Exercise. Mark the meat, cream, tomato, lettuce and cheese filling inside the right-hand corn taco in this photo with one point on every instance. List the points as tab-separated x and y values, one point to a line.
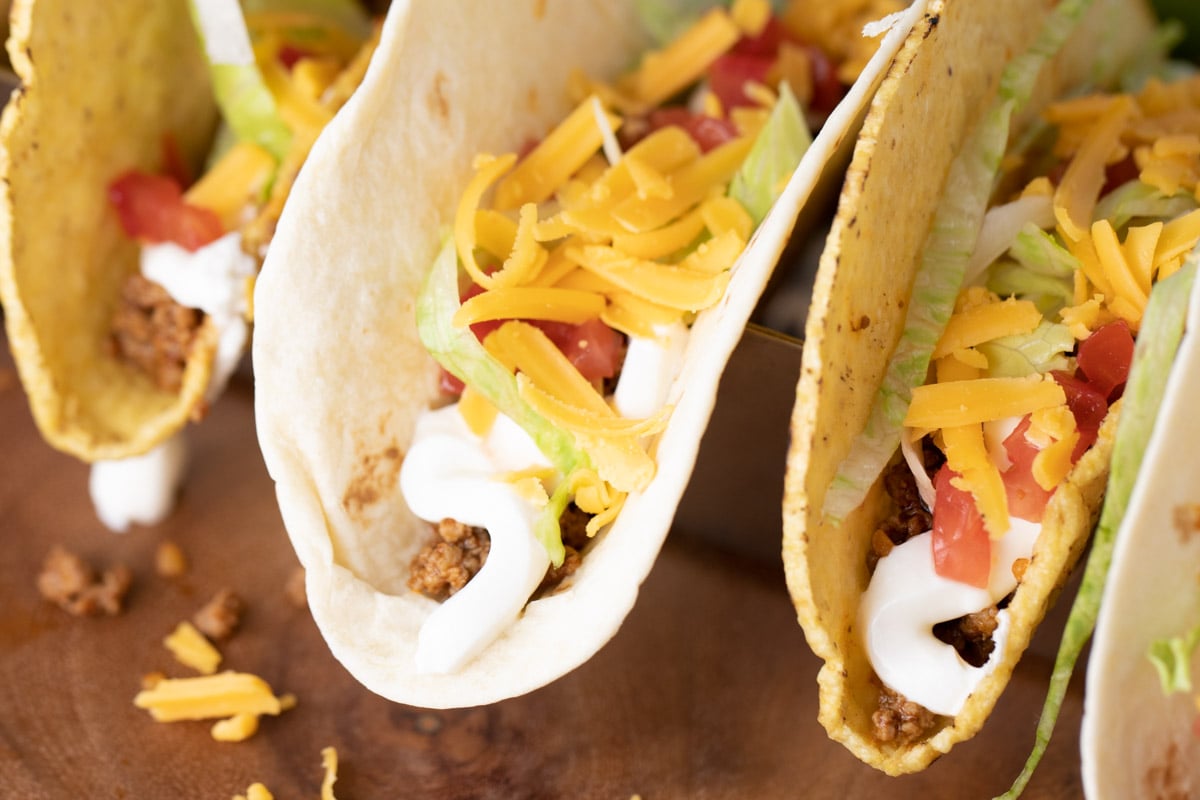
1035	354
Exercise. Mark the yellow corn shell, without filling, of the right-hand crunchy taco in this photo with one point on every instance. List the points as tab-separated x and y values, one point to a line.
938	88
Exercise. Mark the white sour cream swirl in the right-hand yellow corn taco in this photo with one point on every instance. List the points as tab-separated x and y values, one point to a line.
907	598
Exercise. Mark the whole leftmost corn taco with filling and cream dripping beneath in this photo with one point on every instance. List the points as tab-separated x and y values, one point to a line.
118	112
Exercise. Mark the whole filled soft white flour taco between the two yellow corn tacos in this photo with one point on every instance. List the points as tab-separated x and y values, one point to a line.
356	431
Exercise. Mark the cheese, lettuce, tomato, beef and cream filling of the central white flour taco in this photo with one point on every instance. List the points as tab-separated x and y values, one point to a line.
584	262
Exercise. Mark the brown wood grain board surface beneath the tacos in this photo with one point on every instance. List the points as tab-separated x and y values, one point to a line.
709	690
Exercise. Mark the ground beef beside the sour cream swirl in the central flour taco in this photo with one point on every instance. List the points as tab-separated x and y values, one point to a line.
457	552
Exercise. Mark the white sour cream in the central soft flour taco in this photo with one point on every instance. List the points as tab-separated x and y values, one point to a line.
452	473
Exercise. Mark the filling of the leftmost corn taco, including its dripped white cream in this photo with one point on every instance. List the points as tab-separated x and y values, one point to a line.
280	77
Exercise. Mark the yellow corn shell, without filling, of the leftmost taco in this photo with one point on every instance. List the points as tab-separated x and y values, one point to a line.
104	85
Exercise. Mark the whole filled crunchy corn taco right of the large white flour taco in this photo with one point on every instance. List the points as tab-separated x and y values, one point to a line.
965	354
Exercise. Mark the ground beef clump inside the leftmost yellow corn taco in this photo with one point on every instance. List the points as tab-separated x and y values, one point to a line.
153	333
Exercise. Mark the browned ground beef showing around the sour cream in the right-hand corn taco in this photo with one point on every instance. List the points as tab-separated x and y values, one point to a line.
898	719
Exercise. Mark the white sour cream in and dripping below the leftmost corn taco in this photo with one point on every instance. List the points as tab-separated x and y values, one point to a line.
142	490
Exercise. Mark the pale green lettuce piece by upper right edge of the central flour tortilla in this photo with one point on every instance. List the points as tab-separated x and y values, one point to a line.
773	159
